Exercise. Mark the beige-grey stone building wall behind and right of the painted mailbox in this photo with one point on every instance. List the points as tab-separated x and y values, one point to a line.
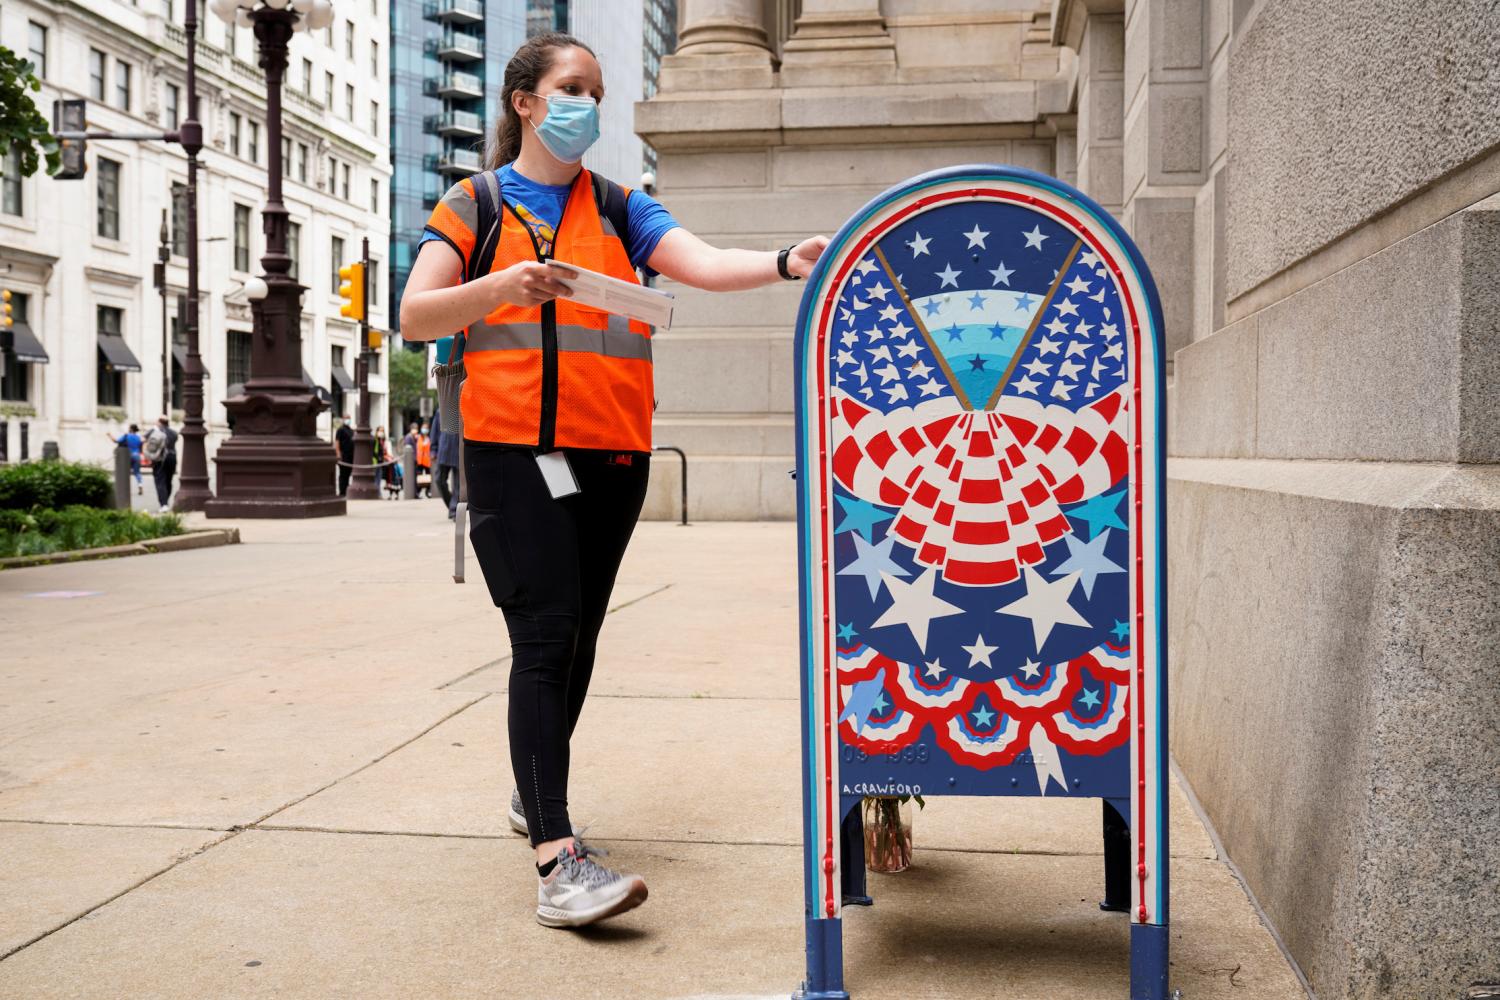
1316	187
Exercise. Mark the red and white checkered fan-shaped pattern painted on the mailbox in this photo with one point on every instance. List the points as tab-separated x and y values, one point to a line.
979	494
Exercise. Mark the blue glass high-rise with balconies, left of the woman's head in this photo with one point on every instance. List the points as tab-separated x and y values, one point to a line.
448	59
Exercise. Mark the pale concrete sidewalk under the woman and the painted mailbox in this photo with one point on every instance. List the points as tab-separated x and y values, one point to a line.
280	770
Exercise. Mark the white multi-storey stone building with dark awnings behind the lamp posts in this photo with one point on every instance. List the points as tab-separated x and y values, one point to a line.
79	254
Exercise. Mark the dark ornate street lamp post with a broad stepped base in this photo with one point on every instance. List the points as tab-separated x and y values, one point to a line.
275	464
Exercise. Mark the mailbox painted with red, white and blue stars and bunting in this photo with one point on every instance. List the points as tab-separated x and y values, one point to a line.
980	506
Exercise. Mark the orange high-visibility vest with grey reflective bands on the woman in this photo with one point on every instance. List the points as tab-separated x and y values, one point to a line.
559	376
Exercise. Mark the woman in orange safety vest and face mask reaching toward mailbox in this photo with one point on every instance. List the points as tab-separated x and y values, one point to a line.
557	416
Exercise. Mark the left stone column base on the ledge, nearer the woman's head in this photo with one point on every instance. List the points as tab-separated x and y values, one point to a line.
722	46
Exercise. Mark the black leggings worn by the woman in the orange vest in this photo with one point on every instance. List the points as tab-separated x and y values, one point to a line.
550	566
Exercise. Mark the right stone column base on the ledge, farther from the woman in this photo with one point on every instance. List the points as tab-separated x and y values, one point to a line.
839	43
